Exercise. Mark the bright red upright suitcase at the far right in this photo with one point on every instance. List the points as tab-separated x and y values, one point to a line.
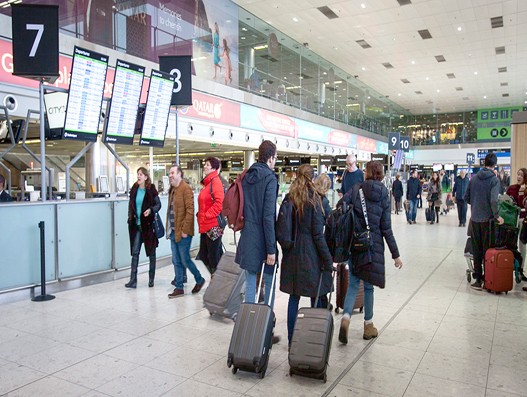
499	268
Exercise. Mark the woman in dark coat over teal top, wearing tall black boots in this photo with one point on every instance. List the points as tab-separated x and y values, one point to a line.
144	203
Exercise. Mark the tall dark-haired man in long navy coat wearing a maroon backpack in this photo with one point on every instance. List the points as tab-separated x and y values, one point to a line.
257	241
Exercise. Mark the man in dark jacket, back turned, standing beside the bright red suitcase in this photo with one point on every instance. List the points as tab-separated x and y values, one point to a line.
482	195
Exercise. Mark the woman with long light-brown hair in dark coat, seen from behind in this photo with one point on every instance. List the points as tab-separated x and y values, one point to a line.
304	263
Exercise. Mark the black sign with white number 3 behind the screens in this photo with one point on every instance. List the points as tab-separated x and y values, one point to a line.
179	66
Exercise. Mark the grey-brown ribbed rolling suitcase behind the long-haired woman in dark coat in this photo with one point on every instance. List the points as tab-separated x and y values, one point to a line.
311	342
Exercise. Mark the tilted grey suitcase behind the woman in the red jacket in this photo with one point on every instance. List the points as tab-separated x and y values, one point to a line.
224	294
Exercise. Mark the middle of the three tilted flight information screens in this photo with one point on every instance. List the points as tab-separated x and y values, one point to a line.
122	116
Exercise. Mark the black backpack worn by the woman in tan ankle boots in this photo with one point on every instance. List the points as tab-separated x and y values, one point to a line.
339	232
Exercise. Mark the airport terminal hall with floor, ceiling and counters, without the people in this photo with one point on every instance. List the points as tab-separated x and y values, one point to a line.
425	85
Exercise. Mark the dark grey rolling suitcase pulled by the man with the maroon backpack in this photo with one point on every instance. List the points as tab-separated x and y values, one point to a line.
252	337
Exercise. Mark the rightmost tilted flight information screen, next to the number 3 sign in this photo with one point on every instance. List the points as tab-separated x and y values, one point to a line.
157	109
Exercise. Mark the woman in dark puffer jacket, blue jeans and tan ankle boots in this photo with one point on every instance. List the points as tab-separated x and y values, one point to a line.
369	266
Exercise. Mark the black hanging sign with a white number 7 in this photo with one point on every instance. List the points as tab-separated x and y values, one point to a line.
35	31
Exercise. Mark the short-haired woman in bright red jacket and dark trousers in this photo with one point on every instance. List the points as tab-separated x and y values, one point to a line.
210	204
